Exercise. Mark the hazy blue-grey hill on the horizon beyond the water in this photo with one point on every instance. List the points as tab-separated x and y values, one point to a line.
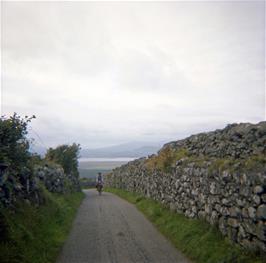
132	149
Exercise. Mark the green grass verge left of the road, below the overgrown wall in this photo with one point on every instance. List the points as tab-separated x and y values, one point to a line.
36	234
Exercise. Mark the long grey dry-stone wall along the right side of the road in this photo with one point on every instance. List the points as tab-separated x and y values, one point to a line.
229	192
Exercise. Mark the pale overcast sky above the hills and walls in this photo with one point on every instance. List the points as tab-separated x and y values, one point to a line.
111	72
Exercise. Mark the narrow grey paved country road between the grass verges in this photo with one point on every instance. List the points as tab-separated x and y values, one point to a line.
108	229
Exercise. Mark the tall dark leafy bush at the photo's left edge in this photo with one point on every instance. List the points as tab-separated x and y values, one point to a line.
15	155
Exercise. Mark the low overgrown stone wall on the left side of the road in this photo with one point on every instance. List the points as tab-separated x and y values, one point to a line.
27	185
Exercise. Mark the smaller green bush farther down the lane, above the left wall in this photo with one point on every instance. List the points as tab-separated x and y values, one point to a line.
66	156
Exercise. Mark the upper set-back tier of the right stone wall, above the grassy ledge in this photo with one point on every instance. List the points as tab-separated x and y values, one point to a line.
236	140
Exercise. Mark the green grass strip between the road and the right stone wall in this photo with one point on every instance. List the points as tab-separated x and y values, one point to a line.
196	239
